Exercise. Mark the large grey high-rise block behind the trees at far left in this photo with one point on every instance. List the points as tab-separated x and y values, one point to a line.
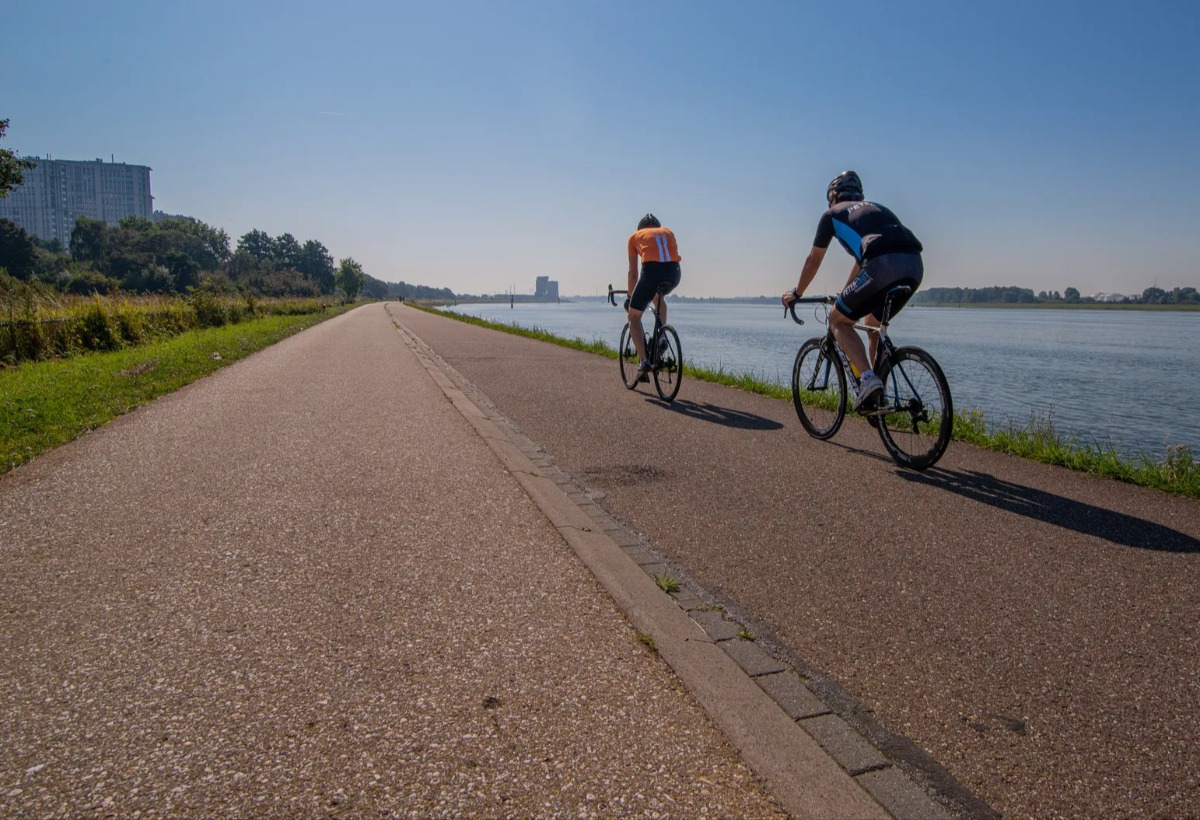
58	193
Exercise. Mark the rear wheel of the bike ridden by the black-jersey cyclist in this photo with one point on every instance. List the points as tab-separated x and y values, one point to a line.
916	415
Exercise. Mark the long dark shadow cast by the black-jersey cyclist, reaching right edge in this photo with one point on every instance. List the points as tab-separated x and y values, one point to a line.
1042	506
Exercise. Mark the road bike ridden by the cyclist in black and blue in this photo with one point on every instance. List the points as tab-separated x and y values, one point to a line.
914	416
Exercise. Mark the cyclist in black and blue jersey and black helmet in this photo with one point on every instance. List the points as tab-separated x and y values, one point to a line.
886	255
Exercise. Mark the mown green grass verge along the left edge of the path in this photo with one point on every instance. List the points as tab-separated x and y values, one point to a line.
47	404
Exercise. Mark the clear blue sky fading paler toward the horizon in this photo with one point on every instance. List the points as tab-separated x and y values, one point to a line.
476	146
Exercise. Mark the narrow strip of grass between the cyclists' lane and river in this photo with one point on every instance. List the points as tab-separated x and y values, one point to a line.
1178	472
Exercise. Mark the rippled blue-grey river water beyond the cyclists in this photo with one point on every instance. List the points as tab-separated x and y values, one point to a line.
1126	380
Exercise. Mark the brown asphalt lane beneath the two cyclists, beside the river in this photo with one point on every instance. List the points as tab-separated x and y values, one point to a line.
1034	630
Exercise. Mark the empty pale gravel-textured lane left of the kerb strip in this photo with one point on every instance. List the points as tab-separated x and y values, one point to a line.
305	586
